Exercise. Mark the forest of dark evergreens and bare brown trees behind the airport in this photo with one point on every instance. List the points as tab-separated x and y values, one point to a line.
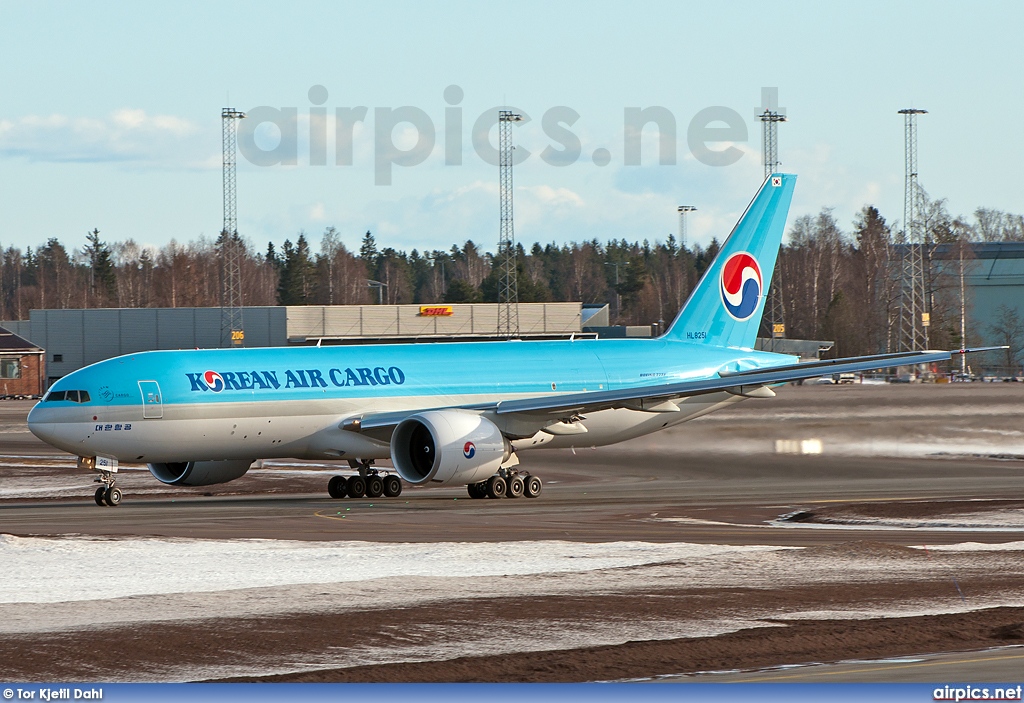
837	284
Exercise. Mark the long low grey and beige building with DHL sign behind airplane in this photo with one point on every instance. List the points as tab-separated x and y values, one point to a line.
74	339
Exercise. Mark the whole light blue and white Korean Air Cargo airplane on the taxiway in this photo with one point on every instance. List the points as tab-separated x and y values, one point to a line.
454	414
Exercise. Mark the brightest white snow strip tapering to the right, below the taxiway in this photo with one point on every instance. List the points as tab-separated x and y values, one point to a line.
89	569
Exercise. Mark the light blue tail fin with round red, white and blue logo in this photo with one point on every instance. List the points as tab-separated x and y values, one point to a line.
726	309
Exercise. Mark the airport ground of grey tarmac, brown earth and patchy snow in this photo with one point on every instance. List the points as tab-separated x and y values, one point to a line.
860	495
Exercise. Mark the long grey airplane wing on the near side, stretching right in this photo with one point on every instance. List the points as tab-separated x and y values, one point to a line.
742	383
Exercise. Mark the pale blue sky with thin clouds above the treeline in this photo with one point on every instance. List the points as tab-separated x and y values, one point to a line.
110	116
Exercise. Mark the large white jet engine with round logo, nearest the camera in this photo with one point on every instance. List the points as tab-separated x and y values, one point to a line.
448	448
